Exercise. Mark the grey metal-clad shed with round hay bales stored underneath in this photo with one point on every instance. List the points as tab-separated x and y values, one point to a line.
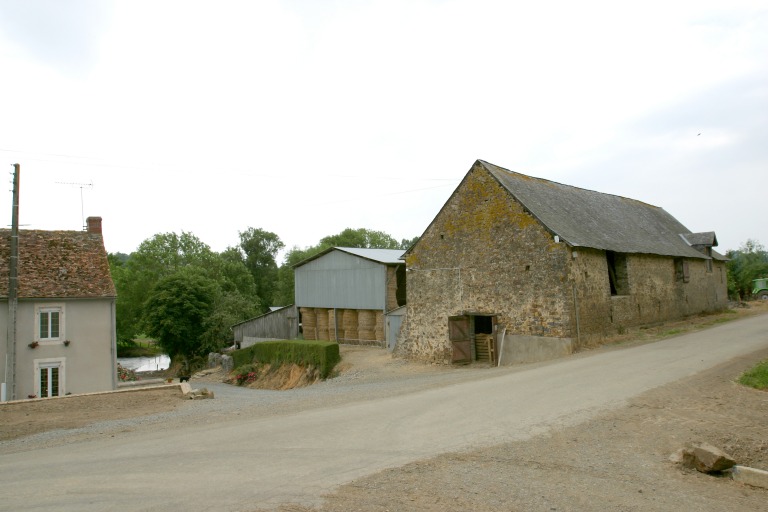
344	293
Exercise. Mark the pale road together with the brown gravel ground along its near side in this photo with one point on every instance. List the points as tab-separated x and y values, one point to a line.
591	432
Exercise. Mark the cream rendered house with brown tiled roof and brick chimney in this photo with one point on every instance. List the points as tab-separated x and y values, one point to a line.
65	315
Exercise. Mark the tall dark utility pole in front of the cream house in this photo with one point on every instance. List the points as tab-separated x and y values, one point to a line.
13	299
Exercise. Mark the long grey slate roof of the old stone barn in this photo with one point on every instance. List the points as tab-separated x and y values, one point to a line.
585	218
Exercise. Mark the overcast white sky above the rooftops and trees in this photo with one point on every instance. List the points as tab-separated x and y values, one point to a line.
306	117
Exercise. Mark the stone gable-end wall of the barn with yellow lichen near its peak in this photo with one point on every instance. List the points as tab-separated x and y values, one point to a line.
484	253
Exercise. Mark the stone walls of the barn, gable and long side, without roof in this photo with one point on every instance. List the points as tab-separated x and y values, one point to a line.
485	254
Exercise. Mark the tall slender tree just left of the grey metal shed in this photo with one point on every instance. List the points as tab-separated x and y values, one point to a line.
259	250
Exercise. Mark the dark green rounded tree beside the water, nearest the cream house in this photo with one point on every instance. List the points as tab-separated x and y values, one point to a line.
177	311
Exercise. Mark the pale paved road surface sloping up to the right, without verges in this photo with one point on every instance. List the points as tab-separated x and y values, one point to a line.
245	463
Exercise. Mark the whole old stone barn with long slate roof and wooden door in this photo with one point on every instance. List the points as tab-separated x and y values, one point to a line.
524	269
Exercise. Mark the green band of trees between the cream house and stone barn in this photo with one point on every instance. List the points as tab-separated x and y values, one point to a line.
177	290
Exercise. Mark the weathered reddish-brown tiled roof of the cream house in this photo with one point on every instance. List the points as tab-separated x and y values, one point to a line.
57	264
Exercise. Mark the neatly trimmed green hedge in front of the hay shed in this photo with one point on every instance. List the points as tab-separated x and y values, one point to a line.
322	354
